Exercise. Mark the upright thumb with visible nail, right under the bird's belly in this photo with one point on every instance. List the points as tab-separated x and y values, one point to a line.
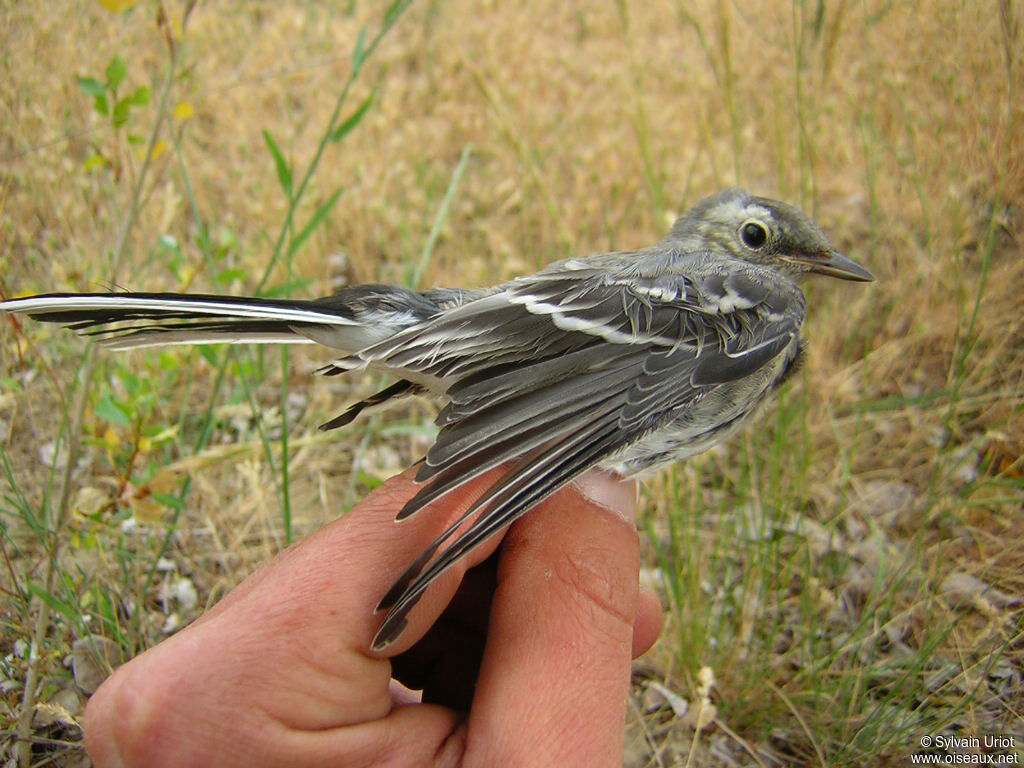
554	679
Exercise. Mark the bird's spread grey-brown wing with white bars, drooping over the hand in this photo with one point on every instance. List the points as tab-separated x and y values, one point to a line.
561	372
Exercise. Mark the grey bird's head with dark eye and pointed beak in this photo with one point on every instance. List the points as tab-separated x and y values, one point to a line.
763	232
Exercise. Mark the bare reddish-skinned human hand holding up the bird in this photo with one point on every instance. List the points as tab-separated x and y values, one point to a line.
280	673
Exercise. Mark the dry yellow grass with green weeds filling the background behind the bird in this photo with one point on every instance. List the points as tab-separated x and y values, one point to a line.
848	575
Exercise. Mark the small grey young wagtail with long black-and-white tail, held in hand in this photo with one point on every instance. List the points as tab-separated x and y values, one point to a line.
624	361
